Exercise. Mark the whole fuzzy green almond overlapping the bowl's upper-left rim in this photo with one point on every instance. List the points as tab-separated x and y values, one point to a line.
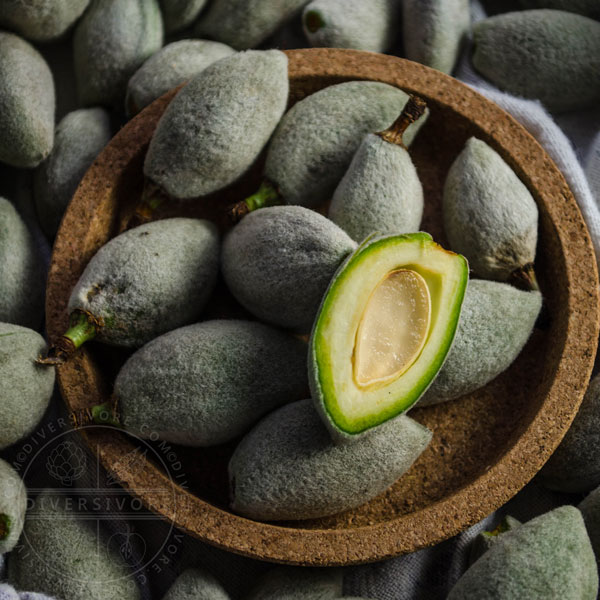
216	127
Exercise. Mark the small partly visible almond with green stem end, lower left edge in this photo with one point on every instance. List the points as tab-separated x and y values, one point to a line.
13	504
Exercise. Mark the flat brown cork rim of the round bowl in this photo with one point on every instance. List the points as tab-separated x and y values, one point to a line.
467	505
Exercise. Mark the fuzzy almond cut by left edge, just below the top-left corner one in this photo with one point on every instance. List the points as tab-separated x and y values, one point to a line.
27	103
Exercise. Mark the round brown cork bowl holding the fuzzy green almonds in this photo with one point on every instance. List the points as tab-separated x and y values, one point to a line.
486	446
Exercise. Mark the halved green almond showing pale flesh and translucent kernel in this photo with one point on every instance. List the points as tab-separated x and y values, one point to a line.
383	331
